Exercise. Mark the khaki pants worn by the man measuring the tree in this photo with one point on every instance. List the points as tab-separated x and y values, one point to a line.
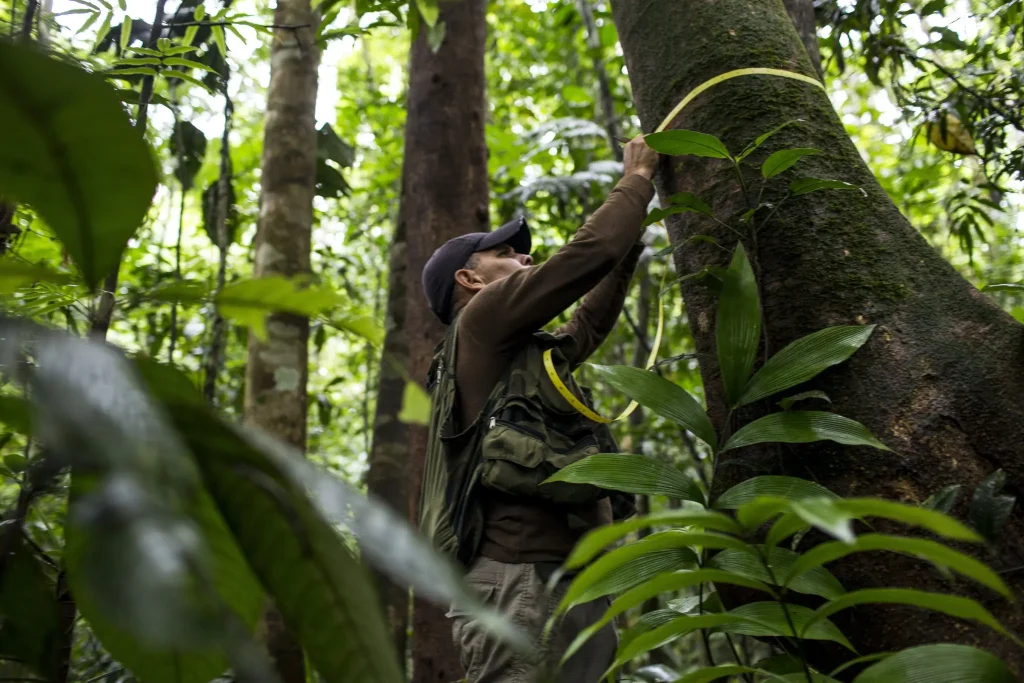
519	591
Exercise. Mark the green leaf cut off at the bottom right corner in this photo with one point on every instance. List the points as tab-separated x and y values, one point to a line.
946	663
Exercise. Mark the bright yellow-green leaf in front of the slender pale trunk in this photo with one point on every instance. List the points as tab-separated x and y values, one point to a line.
250	302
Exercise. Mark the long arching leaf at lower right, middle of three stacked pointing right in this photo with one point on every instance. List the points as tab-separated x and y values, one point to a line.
921	548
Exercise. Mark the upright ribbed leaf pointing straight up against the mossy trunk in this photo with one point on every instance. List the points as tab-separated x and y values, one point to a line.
739	326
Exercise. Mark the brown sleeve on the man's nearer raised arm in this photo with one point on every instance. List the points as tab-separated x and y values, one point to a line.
505	312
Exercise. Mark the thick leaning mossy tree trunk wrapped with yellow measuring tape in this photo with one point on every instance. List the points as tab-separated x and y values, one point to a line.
940	381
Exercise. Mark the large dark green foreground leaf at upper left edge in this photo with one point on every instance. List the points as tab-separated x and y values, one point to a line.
94	200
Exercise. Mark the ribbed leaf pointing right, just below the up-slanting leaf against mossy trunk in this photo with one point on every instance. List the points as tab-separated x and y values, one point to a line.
803	428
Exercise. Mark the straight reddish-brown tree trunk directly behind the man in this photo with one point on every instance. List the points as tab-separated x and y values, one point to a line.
445	194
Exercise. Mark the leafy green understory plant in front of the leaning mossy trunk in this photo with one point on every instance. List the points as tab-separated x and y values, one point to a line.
747	537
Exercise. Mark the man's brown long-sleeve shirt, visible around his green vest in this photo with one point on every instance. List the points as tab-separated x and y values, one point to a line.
598	266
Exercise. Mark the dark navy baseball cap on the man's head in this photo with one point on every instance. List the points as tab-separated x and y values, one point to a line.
439	274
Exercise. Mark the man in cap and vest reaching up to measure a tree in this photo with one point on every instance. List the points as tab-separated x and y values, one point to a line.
500	429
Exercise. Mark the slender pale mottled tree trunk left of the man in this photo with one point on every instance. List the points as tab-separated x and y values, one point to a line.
278	368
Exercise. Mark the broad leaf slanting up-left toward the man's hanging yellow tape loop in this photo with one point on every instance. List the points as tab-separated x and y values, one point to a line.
661	396
